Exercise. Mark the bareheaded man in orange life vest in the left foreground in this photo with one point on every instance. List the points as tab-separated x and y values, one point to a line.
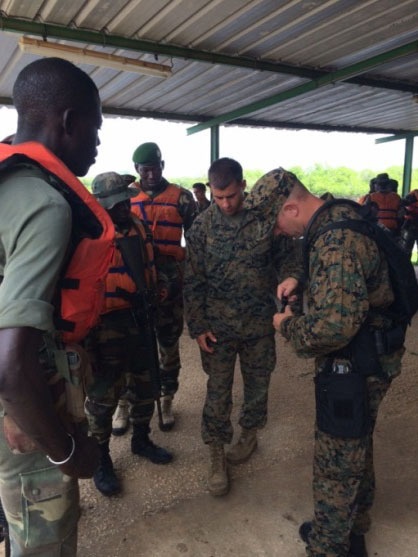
50	226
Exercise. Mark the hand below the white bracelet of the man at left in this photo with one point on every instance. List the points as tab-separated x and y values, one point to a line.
85	459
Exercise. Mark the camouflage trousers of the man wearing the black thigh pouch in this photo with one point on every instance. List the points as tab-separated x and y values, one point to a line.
344	483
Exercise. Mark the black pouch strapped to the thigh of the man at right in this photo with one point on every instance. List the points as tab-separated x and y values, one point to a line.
342	405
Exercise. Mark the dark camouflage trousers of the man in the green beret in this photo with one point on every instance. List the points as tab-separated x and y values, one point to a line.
169	328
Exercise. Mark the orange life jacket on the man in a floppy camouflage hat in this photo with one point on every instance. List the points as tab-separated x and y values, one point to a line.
119	274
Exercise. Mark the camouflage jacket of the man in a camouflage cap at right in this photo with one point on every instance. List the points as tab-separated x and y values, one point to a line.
348	283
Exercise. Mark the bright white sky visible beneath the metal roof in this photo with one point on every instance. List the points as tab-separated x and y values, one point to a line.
255	149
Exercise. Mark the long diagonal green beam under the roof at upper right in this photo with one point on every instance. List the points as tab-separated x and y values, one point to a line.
339	75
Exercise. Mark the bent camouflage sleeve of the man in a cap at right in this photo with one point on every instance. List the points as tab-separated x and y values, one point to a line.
337	298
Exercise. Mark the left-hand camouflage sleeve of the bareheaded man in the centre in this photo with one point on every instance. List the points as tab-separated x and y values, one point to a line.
195	281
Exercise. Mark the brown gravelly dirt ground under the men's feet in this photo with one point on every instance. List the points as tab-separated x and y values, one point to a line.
166	510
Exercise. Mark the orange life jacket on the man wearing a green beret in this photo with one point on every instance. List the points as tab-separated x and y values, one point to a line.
162	216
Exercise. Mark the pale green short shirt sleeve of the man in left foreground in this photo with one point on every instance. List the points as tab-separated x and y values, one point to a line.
35	228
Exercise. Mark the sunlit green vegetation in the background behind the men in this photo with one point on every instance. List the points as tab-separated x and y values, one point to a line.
340	181
